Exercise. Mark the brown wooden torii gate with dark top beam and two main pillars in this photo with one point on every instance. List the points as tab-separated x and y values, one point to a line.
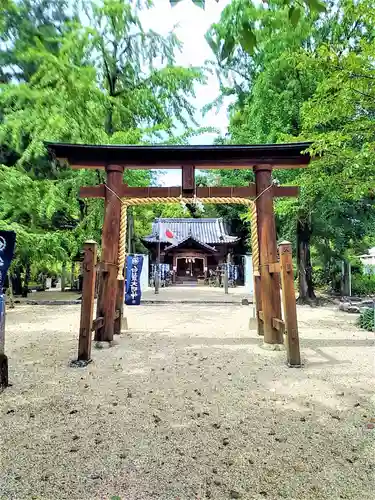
116	159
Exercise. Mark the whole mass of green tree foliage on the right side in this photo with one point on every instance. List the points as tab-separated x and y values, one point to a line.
312	80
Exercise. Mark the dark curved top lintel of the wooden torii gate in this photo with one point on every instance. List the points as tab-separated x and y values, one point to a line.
211	156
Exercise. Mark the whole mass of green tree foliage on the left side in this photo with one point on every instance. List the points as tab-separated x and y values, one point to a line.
95	77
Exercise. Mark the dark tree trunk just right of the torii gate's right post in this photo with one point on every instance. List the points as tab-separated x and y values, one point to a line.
305	282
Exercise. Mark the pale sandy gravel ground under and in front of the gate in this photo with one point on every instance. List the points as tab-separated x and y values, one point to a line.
187	406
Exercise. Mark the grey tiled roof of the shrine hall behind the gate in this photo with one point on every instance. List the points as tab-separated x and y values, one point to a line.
209	231
